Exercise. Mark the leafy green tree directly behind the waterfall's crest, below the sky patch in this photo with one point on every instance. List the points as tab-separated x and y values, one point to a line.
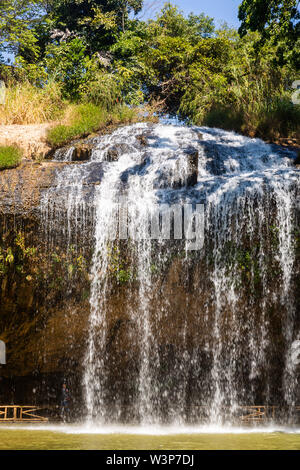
163	55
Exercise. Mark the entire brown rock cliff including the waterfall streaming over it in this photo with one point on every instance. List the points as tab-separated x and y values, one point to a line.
151	328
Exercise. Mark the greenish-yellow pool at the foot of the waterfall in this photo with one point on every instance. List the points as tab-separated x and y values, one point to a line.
74	438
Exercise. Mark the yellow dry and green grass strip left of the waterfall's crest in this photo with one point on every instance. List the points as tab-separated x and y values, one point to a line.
28	104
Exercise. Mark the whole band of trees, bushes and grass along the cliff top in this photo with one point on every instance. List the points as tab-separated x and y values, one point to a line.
91	53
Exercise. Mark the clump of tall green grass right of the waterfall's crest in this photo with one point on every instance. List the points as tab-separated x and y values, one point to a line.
258	108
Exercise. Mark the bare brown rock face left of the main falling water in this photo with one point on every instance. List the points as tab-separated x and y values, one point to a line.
37	291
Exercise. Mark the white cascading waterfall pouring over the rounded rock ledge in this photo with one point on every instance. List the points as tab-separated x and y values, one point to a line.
177	334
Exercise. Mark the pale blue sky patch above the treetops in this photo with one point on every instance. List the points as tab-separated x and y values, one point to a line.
221	10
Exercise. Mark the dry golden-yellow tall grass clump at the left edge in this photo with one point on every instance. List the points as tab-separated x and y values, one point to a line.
28	104
